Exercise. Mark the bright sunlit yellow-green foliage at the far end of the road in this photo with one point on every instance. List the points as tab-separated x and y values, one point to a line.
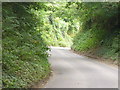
57	29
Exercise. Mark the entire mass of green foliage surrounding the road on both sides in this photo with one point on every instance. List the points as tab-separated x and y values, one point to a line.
28	28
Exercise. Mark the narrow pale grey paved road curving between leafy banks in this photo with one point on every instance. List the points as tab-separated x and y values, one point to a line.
75	71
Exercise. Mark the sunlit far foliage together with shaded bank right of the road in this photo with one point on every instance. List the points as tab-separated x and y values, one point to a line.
96	25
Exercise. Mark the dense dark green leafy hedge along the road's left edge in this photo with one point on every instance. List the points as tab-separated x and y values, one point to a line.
24	51
